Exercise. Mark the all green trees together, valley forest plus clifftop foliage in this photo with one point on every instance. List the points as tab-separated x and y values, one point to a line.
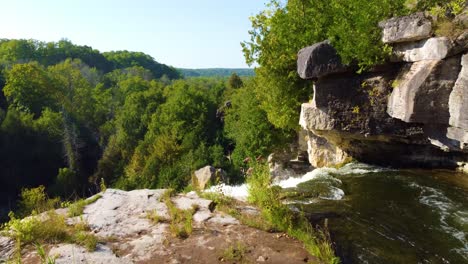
71	116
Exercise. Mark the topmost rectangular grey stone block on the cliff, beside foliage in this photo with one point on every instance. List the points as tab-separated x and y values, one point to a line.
407	28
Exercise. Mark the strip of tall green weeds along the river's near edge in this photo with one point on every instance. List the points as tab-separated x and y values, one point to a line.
267	198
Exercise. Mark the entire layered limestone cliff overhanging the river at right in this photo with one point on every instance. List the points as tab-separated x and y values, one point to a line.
411	112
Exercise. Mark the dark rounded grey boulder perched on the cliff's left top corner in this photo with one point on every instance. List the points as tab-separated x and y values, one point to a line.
319	60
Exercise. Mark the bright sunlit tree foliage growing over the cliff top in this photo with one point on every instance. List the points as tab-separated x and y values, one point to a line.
280	31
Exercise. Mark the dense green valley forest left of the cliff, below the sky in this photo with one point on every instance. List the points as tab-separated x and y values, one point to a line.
72	117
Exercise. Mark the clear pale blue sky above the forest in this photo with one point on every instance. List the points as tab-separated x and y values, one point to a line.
181	33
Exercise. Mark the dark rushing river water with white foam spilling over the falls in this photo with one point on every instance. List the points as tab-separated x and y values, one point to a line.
377	215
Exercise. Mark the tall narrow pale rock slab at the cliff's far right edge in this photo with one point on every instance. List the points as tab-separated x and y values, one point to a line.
458	101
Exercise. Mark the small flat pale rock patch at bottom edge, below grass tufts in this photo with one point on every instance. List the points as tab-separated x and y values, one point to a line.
77	254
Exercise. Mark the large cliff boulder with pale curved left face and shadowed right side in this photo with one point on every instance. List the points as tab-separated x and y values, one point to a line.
421	92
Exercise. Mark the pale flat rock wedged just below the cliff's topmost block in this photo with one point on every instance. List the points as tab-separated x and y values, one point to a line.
430	49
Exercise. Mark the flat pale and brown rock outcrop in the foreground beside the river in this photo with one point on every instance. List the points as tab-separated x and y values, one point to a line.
127	235
